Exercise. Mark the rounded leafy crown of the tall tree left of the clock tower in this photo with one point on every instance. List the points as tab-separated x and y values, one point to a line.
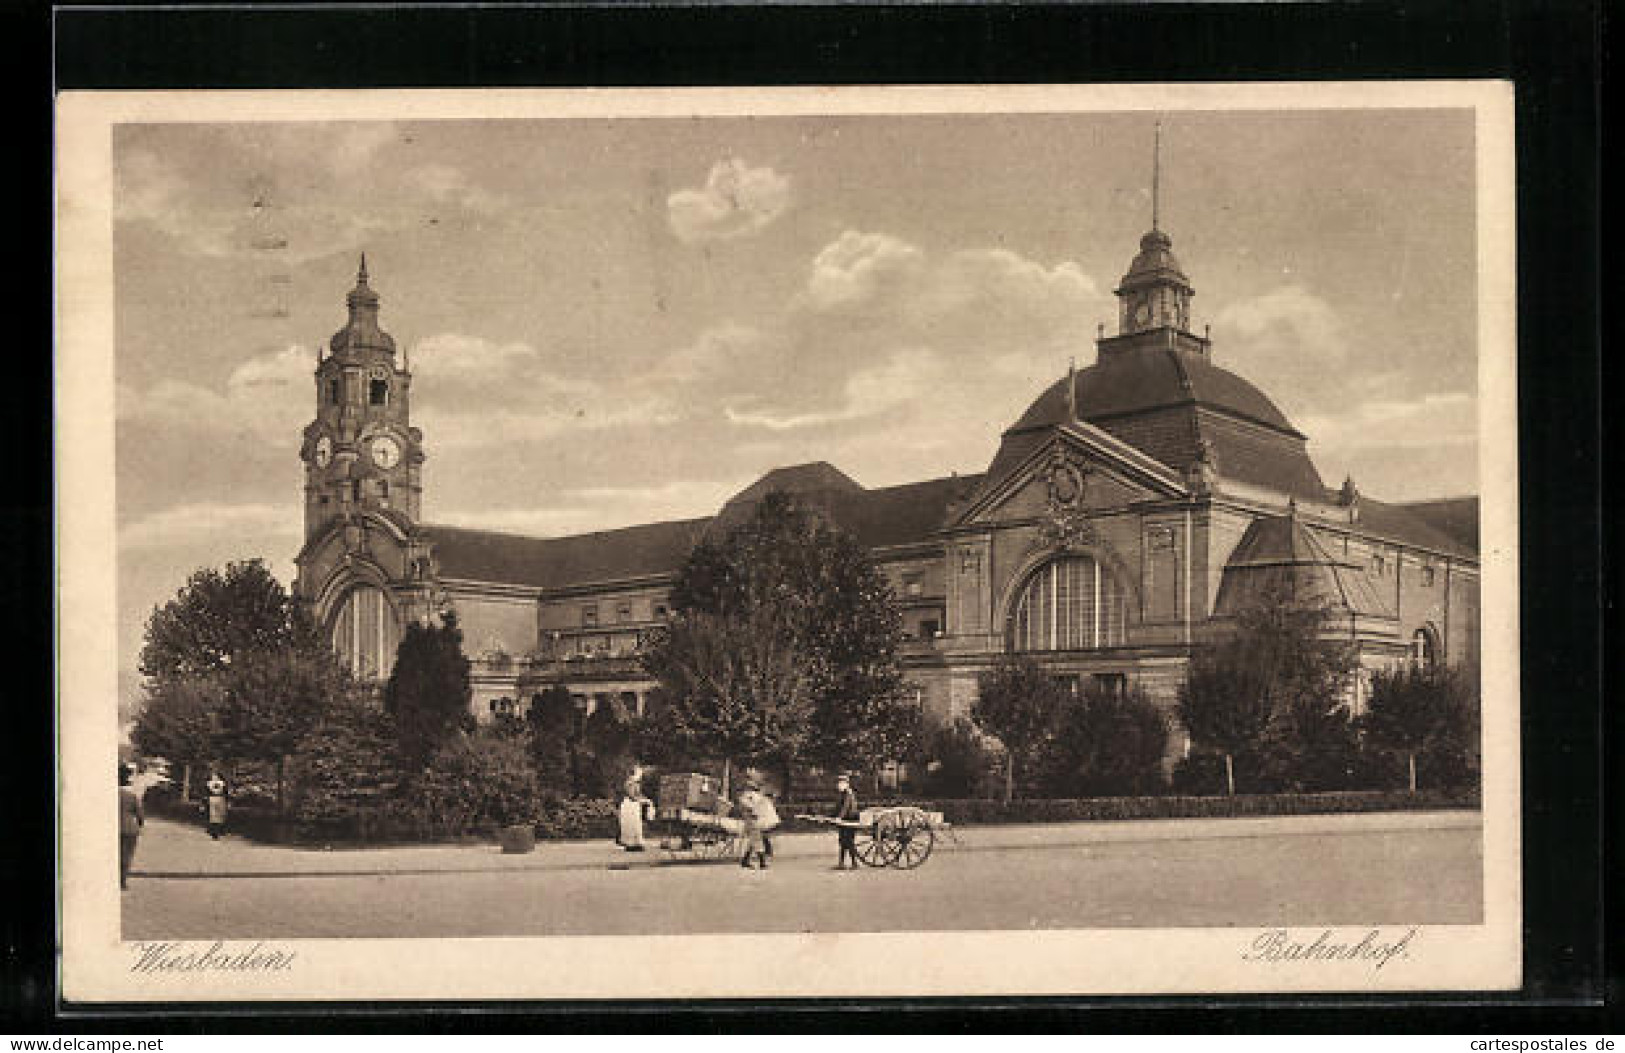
217	618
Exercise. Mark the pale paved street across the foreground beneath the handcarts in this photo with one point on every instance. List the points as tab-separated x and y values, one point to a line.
1319	870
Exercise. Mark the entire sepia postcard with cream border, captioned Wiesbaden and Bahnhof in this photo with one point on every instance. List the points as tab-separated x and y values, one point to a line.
789	544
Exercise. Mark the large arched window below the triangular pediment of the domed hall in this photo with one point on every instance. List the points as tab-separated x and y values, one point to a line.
1070	604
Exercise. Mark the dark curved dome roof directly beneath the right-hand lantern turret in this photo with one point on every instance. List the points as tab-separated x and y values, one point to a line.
1153	378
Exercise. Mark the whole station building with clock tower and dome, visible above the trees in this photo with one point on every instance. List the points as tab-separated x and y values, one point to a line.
1124	511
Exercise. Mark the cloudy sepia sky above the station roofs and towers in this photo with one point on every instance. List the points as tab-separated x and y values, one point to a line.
622	321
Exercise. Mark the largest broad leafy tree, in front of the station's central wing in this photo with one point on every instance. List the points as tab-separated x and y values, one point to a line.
821	628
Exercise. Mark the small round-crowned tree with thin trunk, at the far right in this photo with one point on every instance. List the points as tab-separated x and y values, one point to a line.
1419	709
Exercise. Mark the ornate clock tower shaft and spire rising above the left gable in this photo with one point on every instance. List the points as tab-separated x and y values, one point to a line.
362	453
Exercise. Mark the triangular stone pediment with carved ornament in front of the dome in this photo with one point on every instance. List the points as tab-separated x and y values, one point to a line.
1080	470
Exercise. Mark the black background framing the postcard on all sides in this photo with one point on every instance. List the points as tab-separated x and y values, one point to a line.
1551	50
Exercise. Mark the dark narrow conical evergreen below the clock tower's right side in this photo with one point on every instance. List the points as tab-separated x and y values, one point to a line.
428	693
